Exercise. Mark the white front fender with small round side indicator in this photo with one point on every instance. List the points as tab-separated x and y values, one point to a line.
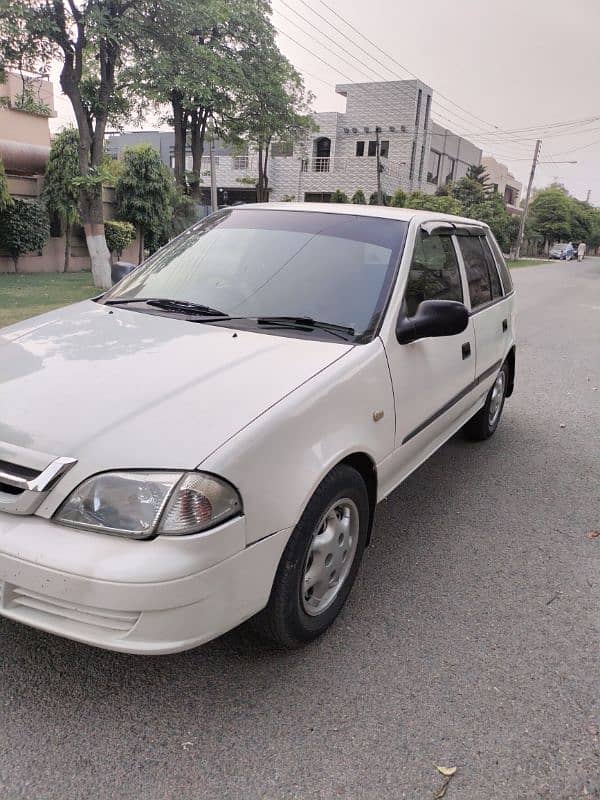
279	459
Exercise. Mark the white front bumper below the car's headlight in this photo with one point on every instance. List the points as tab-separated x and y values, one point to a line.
153	597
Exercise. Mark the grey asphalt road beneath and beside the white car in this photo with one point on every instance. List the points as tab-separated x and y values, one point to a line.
471	638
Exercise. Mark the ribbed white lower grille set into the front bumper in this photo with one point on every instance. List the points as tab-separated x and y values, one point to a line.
32	606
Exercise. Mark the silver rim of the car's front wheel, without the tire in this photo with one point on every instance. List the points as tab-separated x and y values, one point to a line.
330	556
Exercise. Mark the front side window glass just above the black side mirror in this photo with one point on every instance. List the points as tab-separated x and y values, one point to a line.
434	273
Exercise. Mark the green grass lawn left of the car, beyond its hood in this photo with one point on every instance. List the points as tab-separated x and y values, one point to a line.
23	296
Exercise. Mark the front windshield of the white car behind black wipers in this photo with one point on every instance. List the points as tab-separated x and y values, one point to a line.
335	268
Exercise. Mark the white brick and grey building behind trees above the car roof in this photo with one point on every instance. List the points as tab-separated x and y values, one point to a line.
342	152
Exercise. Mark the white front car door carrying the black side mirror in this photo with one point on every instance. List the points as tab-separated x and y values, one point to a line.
432	377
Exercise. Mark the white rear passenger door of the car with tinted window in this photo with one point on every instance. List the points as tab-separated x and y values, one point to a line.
490	311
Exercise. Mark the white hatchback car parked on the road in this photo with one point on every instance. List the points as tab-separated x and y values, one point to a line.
208	440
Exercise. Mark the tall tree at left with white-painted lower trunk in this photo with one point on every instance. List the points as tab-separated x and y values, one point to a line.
94	39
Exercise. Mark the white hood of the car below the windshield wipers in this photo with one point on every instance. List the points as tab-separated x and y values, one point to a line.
115	388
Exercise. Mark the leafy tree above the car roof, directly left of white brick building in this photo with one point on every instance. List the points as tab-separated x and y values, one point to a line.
273	105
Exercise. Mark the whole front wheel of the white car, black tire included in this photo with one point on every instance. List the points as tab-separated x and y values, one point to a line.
336	520
